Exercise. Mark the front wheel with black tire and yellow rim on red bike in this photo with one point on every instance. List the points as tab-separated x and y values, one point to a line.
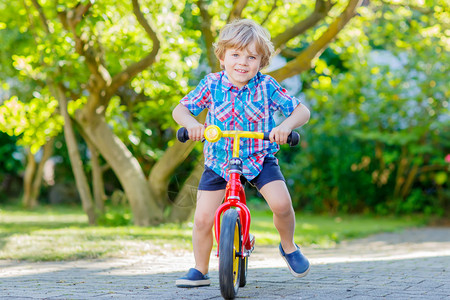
230	245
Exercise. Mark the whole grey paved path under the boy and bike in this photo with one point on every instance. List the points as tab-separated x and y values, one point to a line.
413	264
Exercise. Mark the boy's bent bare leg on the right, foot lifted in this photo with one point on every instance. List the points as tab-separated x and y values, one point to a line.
277	197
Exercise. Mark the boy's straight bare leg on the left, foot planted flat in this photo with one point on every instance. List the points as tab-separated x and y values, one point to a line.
202	235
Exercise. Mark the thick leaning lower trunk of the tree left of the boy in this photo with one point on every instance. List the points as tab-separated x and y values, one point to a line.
126	167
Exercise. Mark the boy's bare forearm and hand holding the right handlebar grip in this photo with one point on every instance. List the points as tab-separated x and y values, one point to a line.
298	117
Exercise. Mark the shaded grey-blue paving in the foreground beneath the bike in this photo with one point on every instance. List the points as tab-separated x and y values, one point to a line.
388	279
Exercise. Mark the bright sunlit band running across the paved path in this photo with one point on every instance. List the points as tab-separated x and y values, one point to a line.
263	257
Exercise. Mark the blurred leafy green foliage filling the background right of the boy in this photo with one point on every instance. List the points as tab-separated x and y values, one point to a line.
381	128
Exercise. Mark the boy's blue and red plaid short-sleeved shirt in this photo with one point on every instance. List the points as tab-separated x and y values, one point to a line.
251	109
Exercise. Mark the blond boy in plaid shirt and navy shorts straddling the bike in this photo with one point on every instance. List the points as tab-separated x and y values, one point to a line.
241	98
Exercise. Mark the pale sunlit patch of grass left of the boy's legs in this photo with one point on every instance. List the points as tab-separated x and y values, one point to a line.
90	243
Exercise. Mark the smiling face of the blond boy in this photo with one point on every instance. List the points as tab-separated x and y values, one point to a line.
241	65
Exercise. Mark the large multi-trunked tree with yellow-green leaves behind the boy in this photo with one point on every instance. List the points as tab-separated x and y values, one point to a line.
93	53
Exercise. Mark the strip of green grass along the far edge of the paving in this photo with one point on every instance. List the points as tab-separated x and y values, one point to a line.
62	233
